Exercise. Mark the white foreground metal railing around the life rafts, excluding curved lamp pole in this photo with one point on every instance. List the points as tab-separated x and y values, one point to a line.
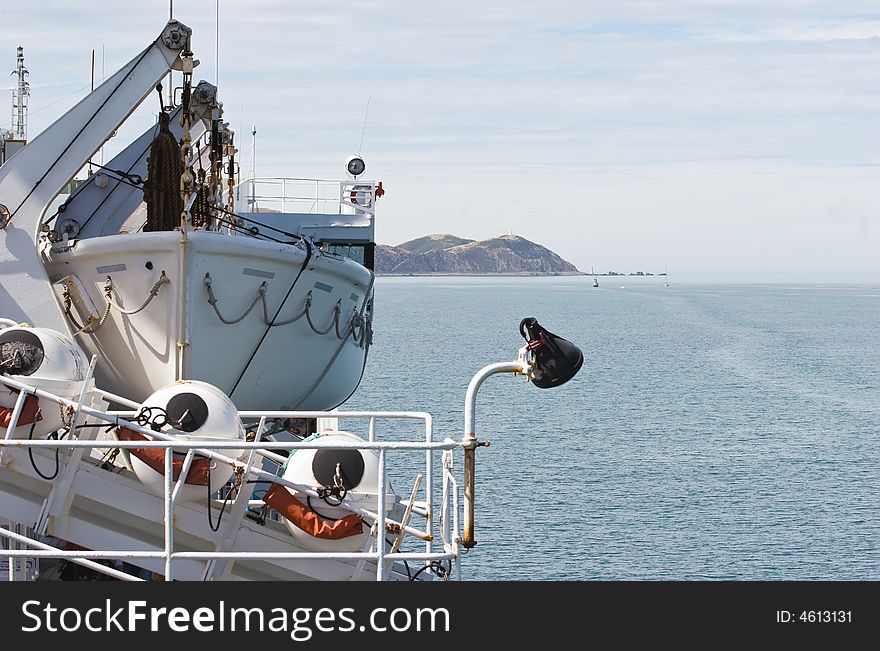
251	471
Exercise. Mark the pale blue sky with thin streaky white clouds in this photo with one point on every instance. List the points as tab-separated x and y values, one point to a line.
709	137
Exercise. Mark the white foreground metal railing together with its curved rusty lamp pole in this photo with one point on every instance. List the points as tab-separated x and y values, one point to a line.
453	543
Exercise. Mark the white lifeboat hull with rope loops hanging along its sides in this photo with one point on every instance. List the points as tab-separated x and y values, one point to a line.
312	363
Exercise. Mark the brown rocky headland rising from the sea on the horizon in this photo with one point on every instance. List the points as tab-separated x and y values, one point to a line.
447	254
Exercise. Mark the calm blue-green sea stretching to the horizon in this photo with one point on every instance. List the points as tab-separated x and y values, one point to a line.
714	432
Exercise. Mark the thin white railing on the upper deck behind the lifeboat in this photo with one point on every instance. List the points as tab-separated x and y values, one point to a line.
310	196
